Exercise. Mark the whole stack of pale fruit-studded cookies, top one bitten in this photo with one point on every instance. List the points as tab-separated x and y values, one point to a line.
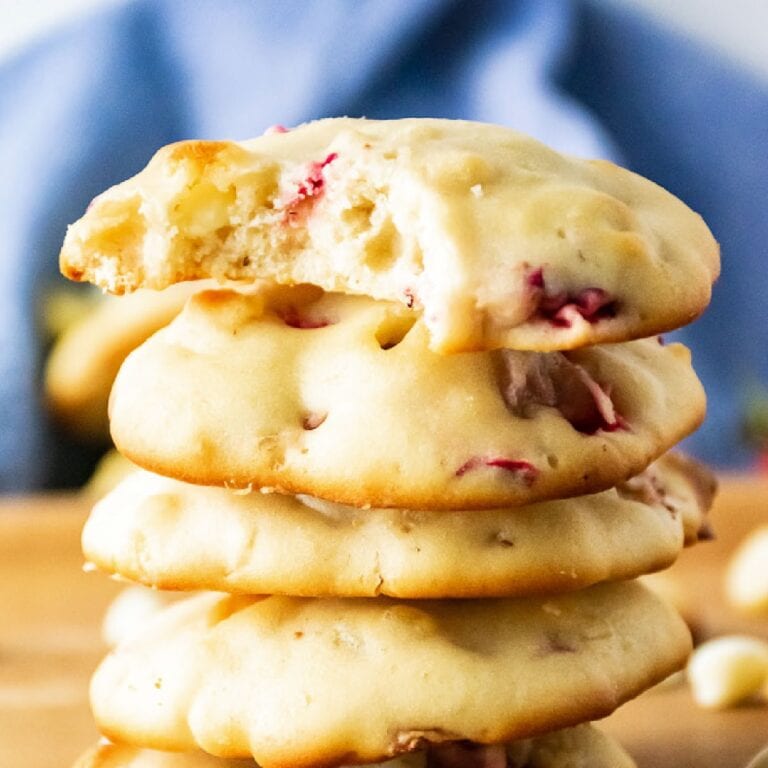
422	448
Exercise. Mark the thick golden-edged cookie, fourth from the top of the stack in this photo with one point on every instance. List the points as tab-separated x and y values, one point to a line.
304	682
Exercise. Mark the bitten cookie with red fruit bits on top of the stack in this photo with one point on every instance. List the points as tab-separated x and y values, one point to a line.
501	241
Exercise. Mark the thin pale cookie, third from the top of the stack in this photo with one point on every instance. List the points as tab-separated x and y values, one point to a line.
172	535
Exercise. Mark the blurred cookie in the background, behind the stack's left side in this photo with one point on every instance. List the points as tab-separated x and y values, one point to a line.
86	357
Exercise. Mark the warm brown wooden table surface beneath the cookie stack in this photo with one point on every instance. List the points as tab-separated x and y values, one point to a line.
49	642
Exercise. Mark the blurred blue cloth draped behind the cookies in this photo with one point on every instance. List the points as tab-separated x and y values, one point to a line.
87	107
